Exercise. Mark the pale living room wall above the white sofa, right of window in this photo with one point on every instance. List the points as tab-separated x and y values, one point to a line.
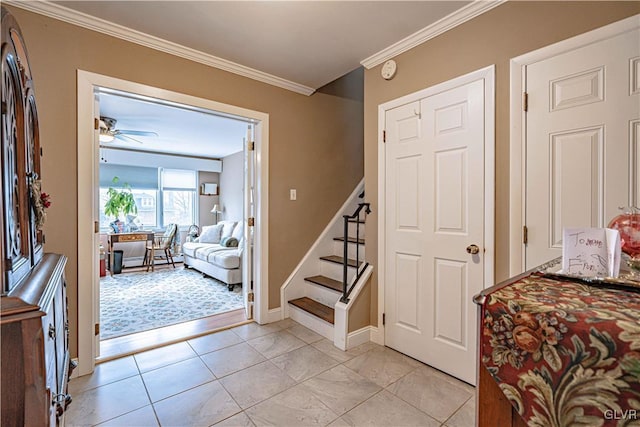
232	187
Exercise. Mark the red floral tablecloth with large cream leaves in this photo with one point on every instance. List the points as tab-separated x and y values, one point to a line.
563	352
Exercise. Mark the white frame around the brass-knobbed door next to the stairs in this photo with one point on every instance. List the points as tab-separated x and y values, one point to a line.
488	74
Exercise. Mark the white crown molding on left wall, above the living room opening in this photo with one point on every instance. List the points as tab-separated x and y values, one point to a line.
84	20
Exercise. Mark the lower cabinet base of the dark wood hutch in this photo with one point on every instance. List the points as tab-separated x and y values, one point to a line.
34	347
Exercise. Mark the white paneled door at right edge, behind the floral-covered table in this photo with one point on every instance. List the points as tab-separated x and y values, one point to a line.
582	129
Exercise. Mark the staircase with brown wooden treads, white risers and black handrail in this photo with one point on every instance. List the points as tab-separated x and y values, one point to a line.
330	270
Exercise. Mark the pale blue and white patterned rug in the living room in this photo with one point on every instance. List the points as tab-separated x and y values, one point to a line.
139	301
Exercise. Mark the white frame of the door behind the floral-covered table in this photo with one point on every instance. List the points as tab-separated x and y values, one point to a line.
517	163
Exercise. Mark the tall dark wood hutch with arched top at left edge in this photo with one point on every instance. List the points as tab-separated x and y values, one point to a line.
34	342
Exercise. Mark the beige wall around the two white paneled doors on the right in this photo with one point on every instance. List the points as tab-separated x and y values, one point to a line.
495	37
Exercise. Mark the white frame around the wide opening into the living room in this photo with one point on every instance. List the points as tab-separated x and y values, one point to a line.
87	167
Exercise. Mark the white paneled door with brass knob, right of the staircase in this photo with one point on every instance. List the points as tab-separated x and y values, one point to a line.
434	223
